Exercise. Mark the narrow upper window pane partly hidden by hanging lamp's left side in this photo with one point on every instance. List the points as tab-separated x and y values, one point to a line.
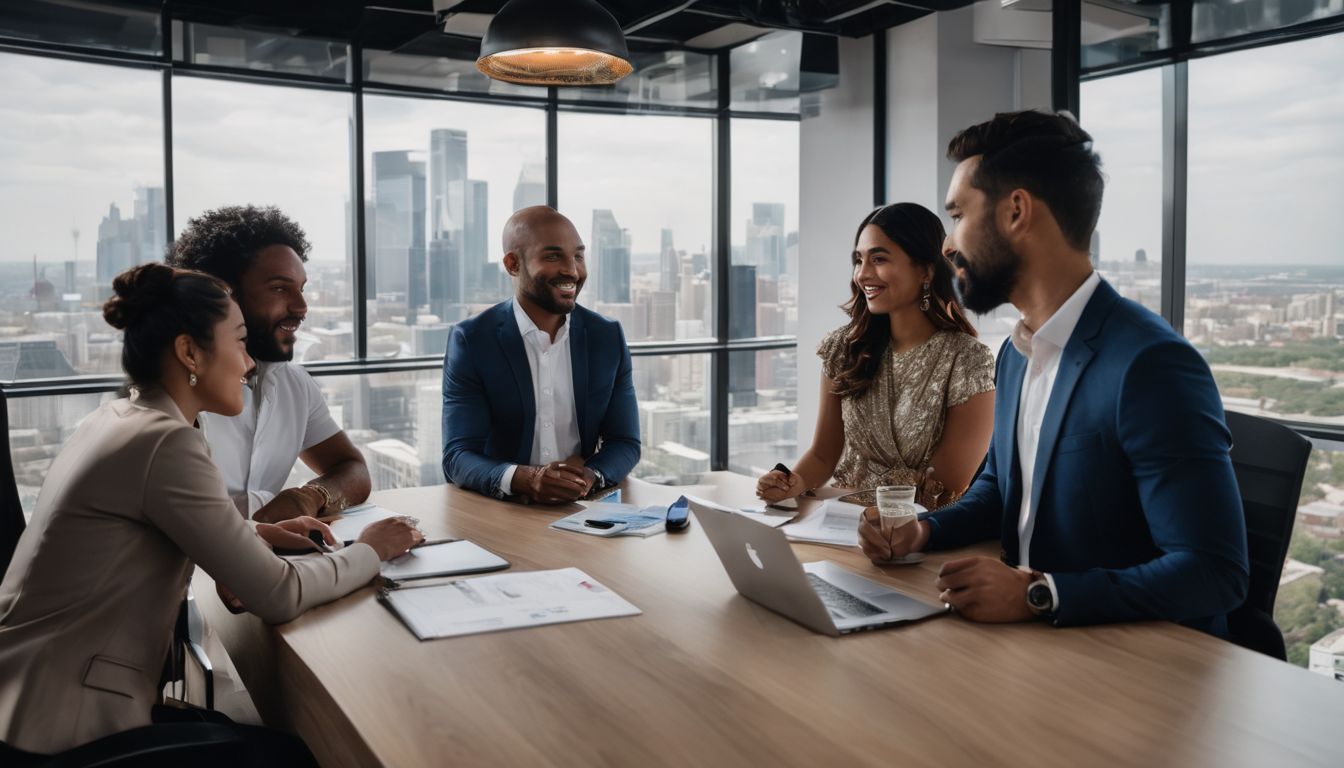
450	72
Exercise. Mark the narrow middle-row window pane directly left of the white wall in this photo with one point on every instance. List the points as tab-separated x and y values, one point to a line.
764	293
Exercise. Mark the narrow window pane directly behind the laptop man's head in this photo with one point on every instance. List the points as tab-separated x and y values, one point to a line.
1124	115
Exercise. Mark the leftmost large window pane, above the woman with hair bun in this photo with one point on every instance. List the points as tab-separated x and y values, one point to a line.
81	200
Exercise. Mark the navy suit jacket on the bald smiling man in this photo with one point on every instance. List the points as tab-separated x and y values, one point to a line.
490	412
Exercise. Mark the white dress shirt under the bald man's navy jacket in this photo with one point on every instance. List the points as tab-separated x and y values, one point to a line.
557	431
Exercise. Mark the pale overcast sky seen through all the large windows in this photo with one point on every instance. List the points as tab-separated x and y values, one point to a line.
1267	161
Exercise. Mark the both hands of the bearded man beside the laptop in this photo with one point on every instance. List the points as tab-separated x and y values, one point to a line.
979	588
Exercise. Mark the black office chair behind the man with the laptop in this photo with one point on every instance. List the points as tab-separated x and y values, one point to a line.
1271	462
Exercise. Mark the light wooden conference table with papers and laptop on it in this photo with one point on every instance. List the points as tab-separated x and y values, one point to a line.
705	677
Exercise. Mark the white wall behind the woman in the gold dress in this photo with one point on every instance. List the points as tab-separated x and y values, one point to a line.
835	194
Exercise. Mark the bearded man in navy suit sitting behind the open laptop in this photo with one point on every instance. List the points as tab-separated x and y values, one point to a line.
1108	479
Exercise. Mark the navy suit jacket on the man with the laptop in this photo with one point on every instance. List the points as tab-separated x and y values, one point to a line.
1138	509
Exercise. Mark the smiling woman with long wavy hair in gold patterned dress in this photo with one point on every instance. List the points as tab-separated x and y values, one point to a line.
907	388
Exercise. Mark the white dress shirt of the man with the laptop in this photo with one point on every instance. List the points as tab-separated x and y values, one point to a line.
1042	350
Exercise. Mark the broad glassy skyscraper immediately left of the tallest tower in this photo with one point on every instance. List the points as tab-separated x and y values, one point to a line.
400	213
